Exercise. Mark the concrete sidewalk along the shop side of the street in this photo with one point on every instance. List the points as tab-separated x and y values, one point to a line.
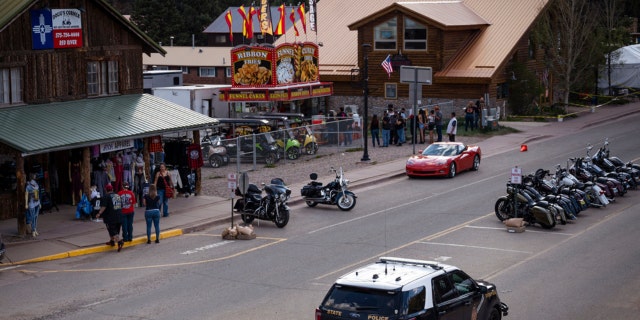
62	236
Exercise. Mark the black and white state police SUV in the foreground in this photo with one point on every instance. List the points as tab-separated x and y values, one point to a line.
403	289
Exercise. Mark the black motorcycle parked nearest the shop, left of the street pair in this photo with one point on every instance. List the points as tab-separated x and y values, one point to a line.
272	207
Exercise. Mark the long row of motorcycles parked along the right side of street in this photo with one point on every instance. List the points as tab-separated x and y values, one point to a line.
549	199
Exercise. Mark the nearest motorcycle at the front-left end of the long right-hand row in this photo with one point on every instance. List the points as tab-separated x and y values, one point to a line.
518	204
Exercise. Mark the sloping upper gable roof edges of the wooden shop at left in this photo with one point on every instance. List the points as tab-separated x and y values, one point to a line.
11	9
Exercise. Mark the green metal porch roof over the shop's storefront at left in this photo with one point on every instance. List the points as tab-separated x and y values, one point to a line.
41	128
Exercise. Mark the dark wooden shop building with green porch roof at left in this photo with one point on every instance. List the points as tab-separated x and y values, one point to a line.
71	92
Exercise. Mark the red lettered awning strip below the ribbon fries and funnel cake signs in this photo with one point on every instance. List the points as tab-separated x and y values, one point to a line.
278	93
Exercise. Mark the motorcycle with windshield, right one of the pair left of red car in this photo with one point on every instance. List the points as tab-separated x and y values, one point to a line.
335	192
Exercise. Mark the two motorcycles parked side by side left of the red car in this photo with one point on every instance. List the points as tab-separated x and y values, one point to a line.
273	205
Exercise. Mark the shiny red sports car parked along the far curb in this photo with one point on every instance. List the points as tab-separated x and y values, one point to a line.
444	159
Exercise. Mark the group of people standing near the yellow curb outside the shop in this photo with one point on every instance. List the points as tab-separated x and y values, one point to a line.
117	209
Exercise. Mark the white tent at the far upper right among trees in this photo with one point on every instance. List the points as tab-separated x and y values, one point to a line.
625	69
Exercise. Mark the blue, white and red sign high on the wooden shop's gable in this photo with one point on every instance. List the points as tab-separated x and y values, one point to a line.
56	29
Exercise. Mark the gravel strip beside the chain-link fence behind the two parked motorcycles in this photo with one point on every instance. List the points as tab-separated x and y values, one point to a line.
214	182
